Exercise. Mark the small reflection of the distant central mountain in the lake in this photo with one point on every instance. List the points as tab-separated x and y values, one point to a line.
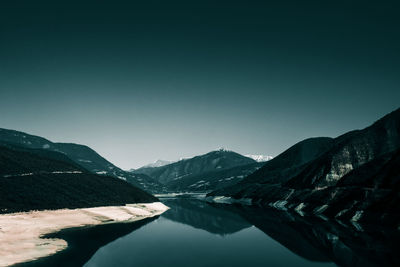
201	215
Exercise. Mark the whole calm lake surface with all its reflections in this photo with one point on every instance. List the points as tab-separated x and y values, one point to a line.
194	233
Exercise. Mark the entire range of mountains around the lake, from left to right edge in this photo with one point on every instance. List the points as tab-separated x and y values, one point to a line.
353	177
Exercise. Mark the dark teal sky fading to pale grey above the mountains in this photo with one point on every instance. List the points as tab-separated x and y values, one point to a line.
139	81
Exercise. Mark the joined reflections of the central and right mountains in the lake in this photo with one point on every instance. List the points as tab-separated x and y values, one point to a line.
313	238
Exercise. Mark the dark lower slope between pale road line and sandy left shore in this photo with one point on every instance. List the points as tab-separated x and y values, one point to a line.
57	191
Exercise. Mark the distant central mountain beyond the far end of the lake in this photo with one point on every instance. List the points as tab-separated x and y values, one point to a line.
197	173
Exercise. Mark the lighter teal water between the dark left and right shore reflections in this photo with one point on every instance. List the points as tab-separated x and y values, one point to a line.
194	233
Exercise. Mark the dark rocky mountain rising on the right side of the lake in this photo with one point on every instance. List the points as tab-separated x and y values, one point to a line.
354	176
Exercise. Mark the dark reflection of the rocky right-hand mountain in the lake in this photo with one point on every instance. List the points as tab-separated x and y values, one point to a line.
323	240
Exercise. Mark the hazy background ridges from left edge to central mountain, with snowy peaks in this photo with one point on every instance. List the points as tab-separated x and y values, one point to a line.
202	173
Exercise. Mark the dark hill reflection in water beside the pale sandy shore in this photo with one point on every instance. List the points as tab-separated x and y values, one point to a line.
84	242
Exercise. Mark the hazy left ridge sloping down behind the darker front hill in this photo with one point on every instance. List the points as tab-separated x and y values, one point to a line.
81	155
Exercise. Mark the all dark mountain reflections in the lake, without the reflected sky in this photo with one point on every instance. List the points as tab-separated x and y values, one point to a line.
314	239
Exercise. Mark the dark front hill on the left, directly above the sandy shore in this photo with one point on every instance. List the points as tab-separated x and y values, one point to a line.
33	181
